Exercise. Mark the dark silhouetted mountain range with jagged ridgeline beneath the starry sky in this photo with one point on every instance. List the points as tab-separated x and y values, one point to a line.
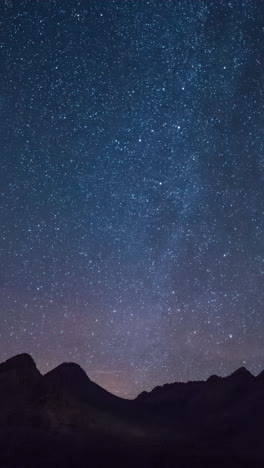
65	420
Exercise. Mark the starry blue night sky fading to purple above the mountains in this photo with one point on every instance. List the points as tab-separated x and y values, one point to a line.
132	187
